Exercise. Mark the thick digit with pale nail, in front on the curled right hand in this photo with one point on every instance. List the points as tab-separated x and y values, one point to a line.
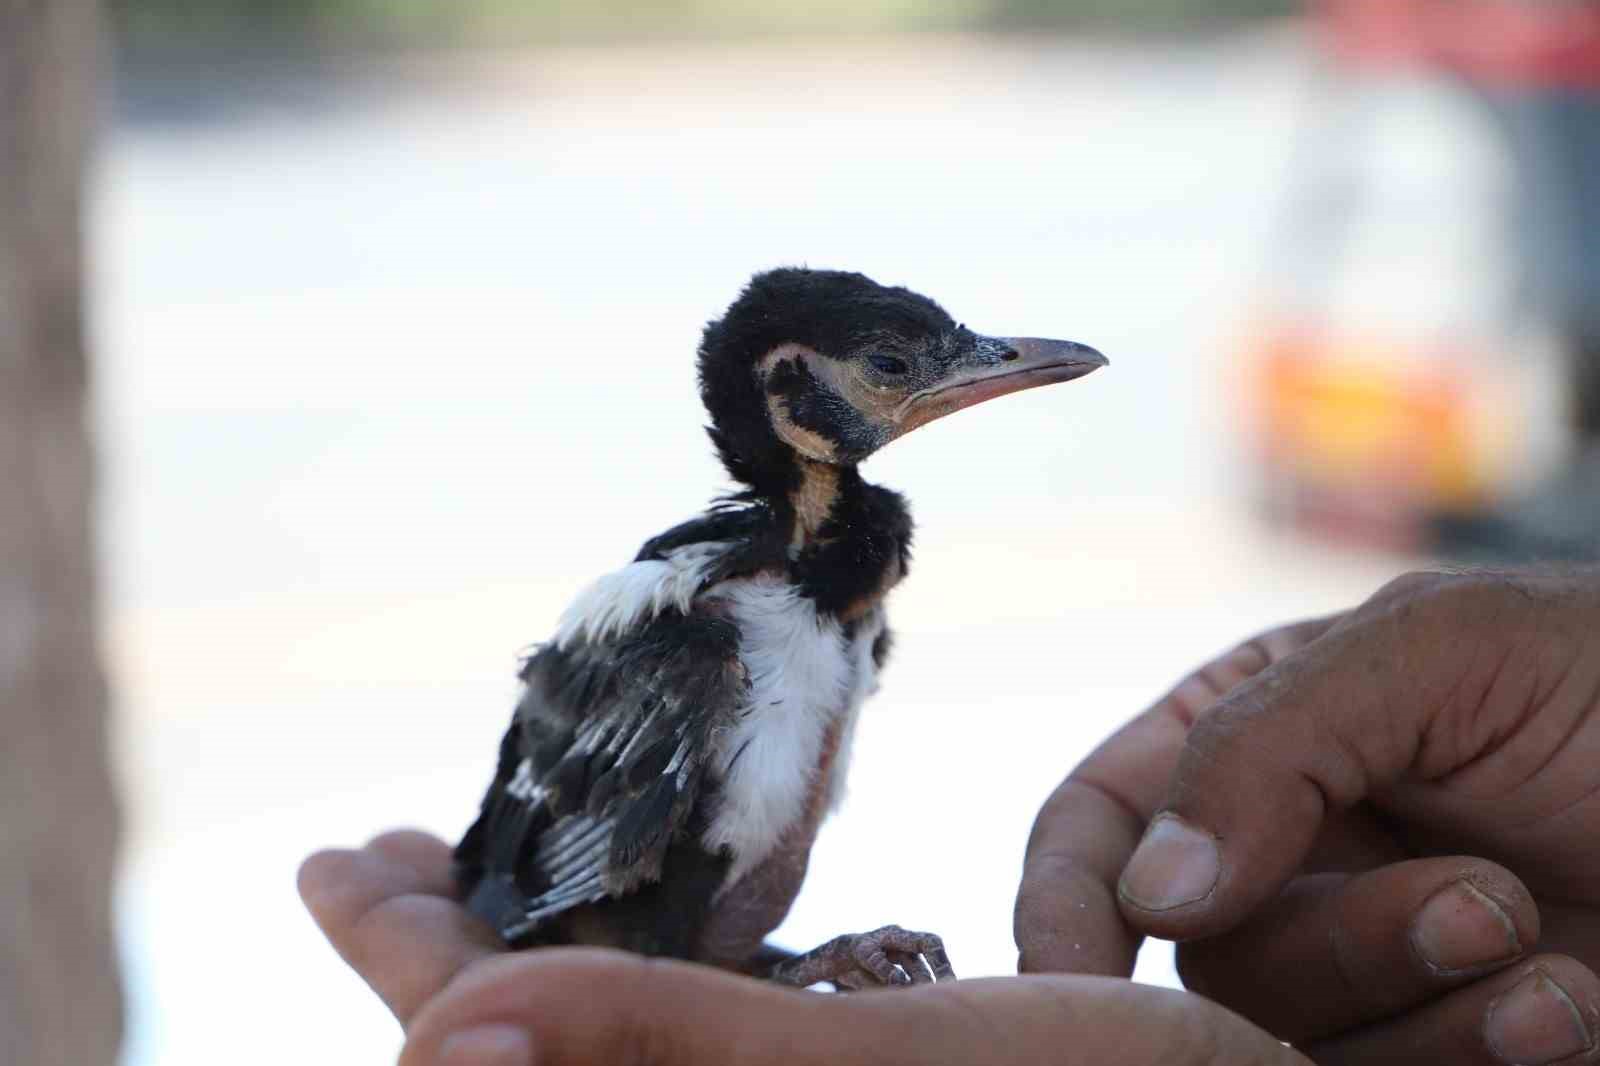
1321	731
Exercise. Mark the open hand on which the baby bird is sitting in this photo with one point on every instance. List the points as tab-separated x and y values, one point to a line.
465	1001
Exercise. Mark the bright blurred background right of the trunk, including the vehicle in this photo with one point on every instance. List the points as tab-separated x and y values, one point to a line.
393	308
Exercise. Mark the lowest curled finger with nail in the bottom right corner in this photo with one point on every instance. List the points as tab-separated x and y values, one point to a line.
1543	1011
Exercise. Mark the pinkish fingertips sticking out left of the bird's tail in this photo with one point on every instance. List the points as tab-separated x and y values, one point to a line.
388	921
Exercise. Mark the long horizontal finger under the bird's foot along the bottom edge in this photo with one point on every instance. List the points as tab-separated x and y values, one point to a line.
562	1008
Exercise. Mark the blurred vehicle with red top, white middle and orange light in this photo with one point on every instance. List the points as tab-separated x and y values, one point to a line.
1433	291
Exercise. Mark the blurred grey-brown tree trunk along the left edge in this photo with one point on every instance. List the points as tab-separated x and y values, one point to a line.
60	1003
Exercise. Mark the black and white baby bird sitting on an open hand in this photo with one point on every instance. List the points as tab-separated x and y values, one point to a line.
686	732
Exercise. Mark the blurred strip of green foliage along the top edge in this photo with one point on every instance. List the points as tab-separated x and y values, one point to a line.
530	22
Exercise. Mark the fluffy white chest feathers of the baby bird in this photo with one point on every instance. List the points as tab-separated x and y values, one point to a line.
780	766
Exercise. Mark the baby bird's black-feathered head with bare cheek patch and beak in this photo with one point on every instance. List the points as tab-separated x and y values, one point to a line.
830	367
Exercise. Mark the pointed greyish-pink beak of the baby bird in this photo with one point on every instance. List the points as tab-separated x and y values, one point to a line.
1023	363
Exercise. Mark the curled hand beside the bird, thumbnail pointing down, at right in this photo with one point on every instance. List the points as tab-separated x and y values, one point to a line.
1313	793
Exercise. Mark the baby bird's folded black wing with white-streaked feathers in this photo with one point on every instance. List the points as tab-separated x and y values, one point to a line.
601	769
